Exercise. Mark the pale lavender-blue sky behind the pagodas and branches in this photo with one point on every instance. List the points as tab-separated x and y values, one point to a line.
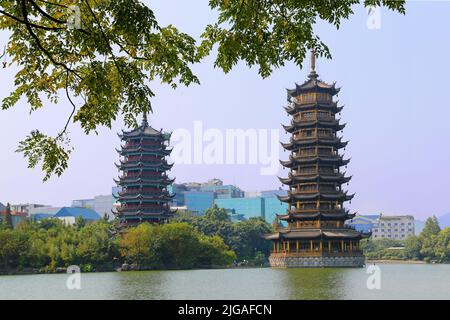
394	84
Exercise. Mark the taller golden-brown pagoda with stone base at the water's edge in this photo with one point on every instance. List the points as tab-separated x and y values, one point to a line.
315	234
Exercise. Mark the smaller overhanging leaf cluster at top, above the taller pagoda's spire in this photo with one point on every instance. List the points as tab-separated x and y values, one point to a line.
269	33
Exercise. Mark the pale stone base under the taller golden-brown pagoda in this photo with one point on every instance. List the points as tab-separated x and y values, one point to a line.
357	261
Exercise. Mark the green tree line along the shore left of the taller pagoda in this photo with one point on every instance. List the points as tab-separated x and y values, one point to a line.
186	242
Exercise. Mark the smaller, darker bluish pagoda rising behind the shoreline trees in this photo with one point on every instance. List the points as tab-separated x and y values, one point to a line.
144	196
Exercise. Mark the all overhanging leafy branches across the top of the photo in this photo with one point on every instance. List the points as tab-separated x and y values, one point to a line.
101	55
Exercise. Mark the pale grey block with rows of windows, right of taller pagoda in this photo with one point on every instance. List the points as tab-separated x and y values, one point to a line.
394	227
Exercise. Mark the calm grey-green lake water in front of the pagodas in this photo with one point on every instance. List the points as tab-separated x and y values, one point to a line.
398	281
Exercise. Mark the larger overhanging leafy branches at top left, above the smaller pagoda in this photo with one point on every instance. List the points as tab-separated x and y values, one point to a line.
105	62
